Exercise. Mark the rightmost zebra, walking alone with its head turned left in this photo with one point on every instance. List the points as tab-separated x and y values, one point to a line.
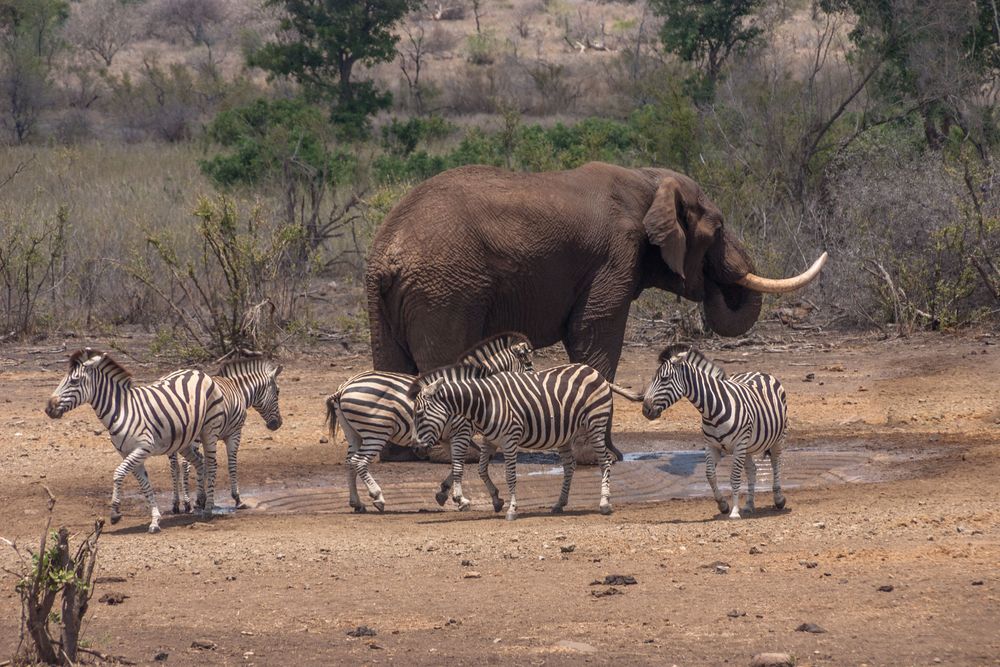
742	415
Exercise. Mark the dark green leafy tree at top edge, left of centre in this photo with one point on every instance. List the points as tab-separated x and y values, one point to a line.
325	41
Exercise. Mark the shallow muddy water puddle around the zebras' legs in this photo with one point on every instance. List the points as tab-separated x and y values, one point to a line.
663	472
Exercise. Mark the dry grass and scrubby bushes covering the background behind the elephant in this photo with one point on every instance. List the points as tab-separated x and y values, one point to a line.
797	143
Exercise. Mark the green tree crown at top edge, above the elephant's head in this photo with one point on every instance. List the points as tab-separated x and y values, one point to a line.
706	32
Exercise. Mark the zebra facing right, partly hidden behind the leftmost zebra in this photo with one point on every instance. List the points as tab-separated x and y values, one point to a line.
245	384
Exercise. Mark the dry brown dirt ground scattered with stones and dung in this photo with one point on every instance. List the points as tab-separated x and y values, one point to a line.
439	586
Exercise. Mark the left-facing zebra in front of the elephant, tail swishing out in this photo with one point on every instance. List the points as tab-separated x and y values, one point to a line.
532	410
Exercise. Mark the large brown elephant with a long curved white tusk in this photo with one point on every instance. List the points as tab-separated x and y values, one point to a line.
559	256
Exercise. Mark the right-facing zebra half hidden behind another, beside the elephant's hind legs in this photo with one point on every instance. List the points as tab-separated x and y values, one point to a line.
374	408
